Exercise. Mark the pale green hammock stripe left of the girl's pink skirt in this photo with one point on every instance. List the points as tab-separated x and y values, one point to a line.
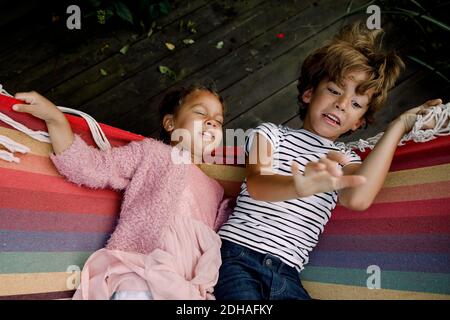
29	262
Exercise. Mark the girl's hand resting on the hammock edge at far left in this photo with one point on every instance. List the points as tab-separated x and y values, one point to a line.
38	106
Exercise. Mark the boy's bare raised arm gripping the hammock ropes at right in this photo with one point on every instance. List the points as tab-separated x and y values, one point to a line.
376	166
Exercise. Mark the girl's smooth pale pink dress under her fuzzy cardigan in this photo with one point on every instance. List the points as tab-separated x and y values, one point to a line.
185	266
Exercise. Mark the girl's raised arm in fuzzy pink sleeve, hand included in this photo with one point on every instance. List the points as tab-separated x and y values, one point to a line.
74	159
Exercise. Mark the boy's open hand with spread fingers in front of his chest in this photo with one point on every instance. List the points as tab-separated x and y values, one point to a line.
324	176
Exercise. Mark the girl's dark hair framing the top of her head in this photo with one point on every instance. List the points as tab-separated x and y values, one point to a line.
173	100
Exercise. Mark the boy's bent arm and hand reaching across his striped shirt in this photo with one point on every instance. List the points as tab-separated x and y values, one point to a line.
321	176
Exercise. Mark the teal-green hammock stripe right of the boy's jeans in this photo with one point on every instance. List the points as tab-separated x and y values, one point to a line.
396	280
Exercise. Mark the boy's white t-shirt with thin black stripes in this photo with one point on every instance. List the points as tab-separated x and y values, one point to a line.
286	229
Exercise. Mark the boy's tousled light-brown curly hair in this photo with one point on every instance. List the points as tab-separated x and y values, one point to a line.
353	48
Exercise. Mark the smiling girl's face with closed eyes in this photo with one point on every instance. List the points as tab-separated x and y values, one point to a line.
197	126
